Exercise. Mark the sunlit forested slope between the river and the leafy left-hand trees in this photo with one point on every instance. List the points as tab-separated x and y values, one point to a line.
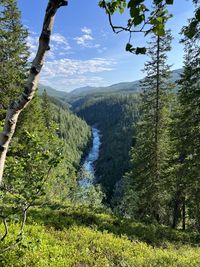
75	137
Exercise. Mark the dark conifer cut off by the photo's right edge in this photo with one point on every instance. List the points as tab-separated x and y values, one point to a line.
187	132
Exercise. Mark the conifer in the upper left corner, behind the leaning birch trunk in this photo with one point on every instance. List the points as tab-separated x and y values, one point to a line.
13	53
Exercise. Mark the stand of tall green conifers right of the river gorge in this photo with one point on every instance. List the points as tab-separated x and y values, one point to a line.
163	184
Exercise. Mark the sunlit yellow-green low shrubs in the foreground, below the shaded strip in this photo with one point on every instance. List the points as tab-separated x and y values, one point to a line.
82	246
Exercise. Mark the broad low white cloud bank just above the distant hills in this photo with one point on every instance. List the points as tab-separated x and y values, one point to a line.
66	74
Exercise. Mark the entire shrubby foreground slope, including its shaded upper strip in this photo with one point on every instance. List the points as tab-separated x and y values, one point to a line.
81	238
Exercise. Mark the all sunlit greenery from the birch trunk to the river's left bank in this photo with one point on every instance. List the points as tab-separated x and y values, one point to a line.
50	148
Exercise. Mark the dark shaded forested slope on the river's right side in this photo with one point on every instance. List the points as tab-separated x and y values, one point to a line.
115	116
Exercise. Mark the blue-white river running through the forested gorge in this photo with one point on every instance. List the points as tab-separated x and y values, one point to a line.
88	168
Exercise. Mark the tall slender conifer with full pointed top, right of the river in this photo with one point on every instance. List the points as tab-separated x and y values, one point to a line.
146	183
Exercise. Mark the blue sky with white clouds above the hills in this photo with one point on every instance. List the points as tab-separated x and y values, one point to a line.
85	51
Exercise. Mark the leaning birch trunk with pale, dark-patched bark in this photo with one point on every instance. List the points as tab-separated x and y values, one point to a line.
18	105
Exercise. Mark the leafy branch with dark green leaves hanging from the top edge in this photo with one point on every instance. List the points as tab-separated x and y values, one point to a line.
141	20
